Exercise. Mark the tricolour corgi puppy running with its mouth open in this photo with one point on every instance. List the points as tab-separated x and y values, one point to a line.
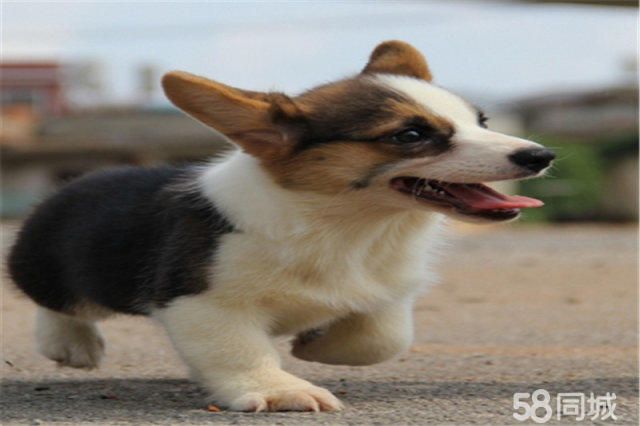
320	225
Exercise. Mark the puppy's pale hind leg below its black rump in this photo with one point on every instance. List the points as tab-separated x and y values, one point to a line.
68	340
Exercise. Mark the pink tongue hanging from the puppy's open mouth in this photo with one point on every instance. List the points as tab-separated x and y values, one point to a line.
482	197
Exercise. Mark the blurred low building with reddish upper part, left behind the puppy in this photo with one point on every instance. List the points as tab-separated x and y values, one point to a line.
47	140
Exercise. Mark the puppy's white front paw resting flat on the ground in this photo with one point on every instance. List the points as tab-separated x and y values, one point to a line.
312	398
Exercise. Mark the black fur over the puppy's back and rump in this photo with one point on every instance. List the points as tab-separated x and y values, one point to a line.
128	239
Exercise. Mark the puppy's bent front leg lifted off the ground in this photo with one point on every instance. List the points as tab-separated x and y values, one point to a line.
360	338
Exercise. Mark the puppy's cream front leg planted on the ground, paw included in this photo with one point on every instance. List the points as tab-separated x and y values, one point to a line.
231	353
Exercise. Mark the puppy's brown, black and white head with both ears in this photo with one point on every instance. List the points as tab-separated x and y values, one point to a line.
388	136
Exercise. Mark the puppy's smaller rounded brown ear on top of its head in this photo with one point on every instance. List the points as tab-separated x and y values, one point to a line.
398	57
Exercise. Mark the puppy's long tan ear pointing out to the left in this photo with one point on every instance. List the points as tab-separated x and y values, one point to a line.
265	125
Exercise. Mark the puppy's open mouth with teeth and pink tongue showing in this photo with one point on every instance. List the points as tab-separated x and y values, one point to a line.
473	199
